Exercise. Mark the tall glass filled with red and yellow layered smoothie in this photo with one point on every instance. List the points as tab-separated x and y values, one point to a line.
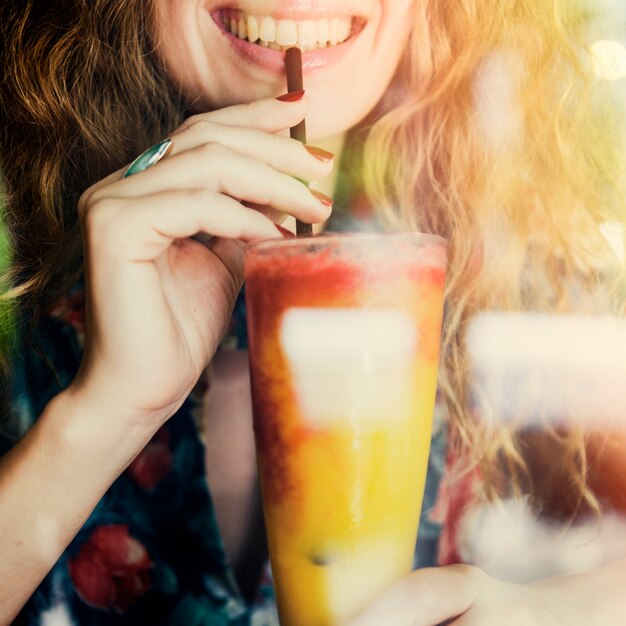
344	337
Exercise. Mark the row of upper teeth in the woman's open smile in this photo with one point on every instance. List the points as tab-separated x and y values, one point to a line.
306	34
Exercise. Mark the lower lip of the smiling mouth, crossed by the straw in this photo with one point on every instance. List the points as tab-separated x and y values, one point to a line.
274	60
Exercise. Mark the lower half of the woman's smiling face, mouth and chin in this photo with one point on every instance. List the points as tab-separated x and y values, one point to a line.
351	51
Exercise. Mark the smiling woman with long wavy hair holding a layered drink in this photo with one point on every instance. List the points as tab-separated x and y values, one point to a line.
488	122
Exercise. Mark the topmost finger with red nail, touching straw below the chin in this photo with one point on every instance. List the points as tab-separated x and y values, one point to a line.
269	114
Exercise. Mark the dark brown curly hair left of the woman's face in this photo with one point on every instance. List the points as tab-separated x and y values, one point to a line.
82	93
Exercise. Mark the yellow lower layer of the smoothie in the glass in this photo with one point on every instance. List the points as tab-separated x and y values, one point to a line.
331	553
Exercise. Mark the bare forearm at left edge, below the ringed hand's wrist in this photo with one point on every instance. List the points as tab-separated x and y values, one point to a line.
49	484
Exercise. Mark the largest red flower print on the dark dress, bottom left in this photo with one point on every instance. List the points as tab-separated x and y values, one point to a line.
111	569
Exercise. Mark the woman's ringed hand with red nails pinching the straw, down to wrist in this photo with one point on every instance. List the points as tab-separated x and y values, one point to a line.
158	301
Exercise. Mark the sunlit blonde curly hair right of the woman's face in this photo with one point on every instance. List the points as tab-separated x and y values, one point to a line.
507	143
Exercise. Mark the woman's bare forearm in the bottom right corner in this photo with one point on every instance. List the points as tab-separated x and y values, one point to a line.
595	598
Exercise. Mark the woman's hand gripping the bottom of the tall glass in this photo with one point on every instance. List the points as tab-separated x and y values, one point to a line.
464	596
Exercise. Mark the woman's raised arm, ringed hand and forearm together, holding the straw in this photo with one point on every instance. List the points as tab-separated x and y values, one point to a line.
158	303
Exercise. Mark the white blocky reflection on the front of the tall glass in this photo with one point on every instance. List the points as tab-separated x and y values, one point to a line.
349	363
